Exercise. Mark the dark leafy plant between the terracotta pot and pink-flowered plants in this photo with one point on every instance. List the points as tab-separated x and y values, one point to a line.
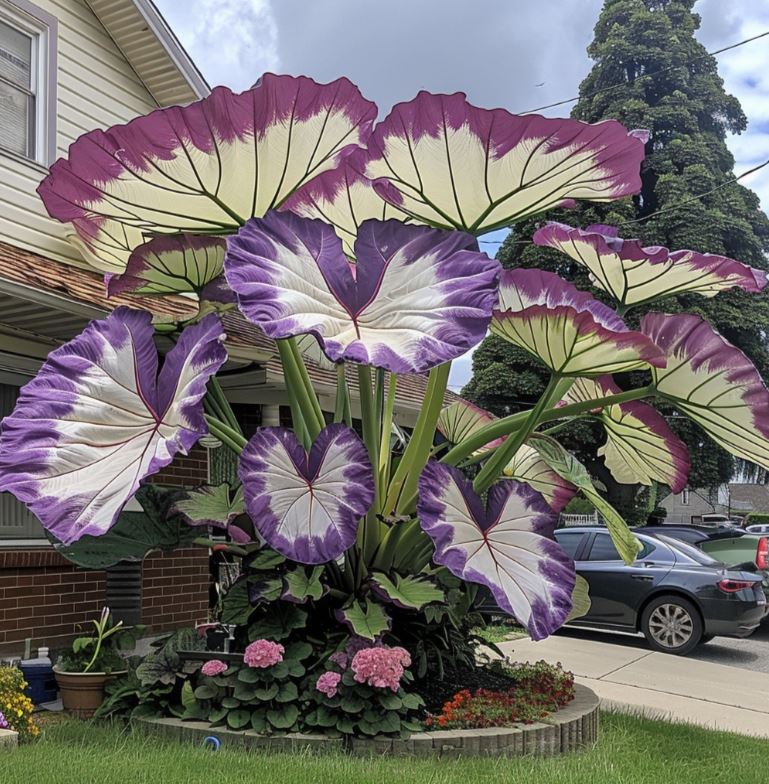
155	686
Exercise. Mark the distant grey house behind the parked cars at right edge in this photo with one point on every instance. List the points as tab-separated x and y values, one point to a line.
734	500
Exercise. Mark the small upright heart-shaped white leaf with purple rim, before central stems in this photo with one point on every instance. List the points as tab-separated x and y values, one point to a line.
307	507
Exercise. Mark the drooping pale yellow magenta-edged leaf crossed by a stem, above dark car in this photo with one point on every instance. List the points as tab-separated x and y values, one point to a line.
640	446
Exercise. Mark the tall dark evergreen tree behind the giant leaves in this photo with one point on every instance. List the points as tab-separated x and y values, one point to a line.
650	72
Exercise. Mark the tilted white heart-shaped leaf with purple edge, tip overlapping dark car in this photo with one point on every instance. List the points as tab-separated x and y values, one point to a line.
508	546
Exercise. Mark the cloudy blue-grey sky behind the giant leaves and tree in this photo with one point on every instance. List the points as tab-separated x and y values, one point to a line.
518	54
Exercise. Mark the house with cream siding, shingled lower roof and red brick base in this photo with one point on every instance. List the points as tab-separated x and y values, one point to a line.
67	66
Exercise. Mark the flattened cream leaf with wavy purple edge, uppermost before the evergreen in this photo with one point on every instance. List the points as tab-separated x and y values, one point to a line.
633	274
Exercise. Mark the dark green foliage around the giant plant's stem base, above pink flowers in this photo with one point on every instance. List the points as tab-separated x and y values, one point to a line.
430	614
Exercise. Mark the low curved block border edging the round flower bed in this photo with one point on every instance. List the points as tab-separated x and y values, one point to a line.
569	729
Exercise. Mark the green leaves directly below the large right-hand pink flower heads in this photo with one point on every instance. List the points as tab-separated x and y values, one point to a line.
361	710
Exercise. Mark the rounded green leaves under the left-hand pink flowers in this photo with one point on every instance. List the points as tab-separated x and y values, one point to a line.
265	699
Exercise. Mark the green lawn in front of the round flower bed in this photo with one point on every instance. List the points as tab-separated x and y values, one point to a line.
631	751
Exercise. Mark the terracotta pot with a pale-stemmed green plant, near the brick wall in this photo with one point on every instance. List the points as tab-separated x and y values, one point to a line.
82	671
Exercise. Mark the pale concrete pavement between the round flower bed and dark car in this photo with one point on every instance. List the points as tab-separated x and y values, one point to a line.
659	685
